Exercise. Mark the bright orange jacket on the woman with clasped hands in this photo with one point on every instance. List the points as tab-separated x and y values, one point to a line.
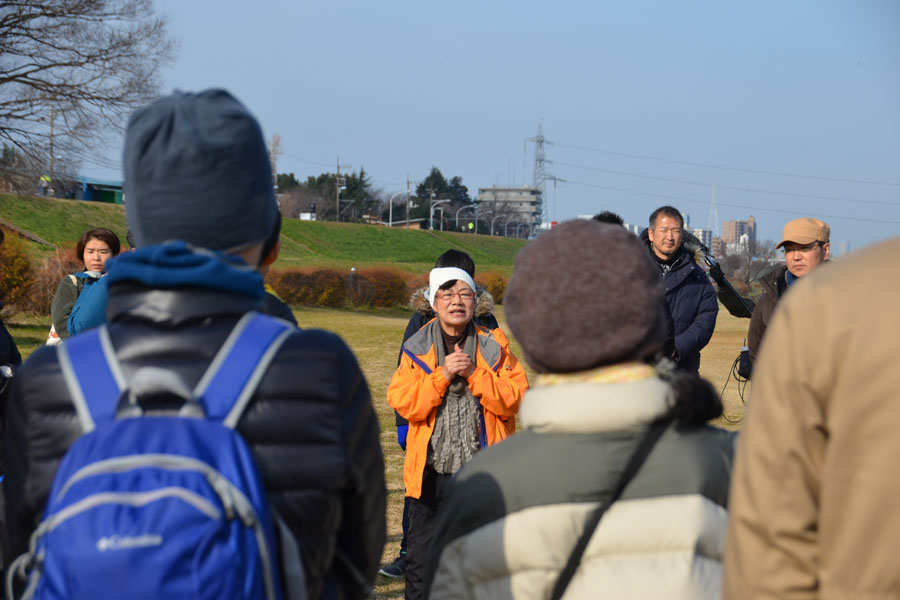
418	387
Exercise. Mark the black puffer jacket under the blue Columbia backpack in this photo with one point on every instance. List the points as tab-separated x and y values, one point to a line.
311	426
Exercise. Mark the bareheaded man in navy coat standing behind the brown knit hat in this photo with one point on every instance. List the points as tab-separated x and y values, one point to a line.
689	294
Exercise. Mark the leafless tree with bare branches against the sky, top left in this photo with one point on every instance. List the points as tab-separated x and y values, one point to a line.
71	69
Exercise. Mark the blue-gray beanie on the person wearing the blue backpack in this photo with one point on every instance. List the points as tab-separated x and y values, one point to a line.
197	169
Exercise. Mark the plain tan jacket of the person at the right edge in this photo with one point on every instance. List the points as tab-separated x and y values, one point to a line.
815	498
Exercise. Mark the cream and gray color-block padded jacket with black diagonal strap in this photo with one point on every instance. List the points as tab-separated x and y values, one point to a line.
513	514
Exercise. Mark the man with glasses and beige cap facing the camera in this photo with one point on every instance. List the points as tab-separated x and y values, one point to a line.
805	244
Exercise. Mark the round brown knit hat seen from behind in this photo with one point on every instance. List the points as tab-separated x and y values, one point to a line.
583	295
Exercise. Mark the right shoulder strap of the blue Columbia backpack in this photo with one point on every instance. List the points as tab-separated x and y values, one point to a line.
240	364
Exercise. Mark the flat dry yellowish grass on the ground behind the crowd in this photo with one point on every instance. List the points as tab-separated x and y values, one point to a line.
375	338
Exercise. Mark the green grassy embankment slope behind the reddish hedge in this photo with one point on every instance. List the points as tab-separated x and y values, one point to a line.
304	243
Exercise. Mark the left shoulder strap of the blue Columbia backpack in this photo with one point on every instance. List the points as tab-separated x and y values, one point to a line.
93	376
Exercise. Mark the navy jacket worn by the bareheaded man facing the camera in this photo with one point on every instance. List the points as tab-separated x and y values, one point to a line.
692	304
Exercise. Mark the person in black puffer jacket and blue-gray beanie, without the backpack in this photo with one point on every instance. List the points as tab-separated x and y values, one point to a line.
198	173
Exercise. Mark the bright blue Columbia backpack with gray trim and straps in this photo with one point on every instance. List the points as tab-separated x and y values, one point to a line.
160	497
